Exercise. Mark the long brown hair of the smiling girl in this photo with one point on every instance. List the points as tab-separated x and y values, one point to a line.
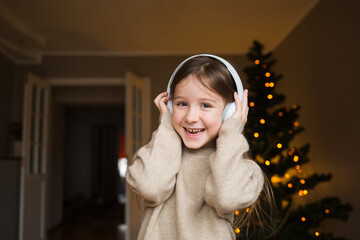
260	217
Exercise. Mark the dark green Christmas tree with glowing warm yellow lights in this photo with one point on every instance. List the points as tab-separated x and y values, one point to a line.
270	130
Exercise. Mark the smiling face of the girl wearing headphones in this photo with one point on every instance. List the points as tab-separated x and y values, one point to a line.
197	113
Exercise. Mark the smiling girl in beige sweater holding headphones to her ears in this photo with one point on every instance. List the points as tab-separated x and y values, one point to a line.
194	173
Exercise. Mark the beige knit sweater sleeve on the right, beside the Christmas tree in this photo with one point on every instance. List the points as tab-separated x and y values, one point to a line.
235	182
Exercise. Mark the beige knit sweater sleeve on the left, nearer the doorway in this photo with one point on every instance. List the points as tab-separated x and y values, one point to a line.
152	174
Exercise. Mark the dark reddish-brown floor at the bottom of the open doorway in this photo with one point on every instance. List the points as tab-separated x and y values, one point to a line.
106	223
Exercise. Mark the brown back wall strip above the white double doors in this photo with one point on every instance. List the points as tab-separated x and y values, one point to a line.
157	68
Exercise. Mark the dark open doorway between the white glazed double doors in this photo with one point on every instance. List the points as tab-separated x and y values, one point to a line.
84	181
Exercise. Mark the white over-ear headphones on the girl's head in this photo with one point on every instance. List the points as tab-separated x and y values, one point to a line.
230	107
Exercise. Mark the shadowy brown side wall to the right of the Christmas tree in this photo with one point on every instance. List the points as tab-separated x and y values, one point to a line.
319	61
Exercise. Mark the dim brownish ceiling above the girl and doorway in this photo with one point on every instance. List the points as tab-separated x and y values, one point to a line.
32	29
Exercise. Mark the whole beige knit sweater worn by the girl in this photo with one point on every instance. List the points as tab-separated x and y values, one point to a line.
192	194
